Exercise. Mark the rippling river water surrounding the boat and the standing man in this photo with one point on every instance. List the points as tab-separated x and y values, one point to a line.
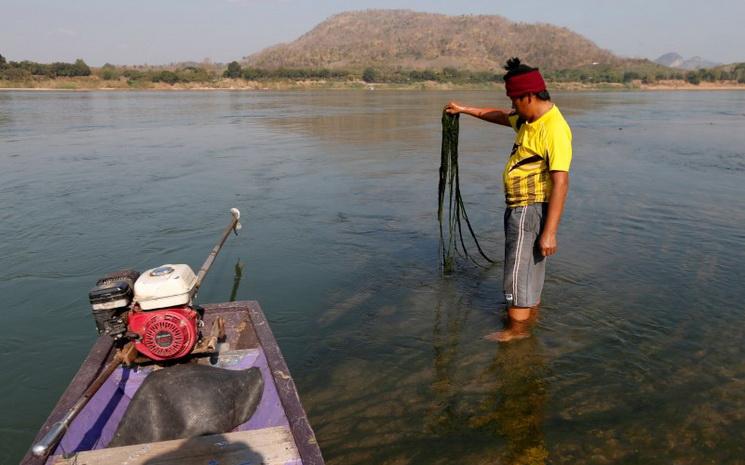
638	356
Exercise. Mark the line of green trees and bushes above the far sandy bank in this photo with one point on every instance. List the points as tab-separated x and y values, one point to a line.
643	71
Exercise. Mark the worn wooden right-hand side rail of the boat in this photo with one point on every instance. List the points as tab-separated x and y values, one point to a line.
304	436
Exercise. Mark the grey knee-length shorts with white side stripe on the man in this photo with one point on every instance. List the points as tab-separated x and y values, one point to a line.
524	265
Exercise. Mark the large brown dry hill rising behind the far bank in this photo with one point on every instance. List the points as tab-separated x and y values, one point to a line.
409	40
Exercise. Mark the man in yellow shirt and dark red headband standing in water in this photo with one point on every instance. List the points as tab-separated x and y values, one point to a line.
536	181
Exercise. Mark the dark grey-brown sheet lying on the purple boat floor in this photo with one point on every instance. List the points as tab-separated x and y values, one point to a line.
186	401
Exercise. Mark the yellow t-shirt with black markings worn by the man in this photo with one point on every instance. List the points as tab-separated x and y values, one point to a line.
540	147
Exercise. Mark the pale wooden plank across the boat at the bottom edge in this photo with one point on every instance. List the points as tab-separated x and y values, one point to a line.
268	446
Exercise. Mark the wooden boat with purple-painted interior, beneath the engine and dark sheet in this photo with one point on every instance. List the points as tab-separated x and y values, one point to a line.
277	433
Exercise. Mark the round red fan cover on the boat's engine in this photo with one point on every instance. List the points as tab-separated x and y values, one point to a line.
165	334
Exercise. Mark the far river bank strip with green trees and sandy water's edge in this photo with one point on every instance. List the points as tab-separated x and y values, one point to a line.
27	75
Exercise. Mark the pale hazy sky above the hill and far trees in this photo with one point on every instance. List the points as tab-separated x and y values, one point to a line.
165	31
